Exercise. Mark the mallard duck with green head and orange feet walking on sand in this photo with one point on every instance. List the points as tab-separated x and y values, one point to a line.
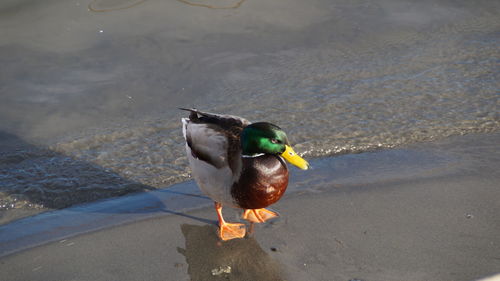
239	164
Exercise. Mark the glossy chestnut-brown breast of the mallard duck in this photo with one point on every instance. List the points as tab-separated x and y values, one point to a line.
262	182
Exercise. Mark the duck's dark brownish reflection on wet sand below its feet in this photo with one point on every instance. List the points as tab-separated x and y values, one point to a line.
240	259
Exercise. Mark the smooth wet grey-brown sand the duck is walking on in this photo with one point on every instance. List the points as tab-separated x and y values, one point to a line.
426	212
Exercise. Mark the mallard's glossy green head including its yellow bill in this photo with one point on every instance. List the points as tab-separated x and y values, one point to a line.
263	137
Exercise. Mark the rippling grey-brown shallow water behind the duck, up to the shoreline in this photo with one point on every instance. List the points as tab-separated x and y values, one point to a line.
89	98
